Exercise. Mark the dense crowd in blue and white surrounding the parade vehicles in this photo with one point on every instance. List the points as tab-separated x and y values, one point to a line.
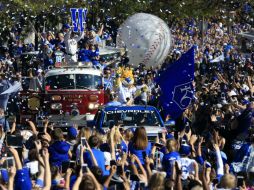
211	146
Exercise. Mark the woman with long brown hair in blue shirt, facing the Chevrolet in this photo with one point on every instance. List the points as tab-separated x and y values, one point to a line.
139	144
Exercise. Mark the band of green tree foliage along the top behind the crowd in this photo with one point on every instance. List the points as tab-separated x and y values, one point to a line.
47	13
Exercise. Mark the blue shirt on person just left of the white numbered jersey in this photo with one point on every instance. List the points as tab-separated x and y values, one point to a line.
168	160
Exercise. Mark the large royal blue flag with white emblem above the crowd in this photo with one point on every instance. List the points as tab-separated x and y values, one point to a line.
176	85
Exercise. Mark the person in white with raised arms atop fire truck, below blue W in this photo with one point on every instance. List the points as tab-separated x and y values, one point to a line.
71	44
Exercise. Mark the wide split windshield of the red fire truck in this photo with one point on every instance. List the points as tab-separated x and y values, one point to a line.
73	81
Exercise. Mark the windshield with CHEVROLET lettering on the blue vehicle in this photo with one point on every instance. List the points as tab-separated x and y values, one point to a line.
131	118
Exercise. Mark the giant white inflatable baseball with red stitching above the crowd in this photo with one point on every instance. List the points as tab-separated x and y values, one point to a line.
147	39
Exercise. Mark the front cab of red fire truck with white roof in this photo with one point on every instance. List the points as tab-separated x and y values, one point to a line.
73	94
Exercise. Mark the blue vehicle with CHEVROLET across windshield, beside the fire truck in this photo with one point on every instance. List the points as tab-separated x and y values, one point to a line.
130	117
